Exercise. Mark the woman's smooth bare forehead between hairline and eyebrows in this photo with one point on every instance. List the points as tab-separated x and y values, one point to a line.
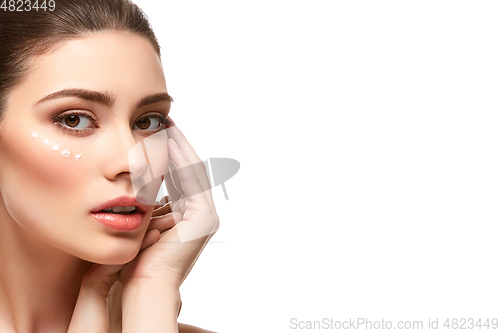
120	62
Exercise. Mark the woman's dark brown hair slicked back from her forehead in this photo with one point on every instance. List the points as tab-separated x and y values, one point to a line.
24	35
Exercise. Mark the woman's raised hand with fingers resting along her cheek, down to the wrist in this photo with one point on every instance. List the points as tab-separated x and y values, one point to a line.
178	231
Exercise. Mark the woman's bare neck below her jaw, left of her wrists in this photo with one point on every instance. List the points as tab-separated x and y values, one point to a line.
39	284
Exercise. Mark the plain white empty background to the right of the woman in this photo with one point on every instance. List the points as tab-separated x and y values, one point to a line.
368	137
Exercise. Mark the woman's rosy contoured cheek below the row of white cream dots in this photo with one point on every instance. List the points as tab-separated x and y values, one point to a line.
36	179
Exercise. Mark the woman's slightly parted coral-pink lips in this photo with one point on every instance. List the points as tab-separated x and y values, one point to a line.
122	213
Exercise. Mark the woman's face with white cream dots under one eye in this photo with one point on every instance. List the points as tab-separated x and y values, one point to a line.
51	188
